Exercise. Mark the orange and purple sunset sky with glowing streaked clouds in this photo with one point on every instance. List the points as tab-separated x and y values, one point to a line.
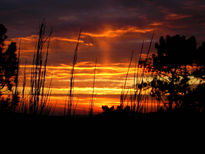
111	29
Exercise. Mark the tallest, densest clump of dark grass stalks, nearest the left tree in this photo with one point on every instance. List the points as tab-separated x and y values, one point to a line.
37	101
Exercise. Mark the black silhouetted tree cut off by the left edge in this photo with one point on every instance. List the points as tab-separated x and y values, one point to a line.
8	70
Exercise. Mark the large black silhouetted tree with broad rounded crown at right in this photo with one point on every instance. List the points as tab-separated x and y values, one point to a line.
170	63
